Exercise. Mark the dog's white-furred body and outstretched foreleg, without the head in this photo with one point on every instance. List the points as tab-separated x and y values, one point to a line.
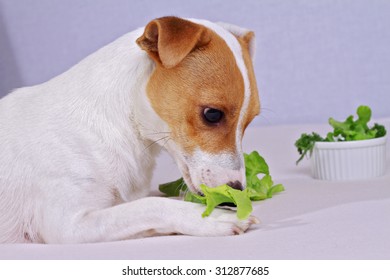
77	154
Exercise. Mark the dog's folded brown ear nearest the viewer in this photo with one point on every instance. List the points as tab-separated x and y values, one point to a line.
169	40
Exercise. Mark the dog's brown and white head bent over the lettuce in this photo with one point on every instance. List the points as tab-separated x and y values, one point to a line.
204	91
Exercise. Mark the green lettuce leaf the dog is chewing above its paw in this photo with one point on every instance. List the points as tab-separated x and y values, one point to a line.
256	189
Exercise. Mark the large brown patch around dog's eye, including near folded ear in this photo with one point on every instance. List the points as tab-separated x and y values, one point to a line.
206	77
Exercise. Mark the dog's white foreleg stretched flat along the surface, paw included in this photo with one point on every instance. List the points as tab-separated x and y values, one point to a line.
145	217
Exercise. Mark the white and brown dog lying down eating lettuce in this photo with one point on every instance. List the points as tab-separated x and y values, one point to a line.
77	152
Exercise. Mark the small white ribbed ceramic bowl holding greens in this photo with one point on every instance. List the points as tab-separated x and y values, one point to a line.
350	160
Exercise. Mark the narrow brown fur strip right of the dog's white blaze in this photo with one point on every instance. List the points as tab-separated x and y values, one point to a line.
254	102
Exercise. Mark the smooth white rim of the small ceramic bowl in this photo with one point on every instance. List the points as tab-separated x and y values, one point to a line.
351	144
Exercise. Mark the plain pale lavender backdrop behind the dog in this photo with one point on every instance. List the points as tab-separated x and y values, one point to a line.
315	58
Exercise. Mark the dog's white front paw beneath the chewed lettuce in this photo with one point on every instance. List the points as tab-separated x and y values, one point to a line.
221	222
